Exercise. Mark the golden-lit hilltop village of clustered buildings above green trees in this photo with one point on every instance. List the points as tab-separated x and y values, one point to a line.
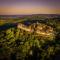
39	29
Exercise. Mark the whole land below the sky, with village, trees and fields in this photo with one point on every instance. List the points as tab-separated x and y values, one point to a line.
30	37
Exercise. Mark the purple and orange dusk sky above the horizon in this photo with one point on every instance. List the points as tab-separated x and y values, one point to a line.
13	7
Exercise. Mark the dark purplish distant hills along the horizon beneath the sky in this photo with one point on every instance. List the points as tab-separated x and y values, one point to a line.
21	16
